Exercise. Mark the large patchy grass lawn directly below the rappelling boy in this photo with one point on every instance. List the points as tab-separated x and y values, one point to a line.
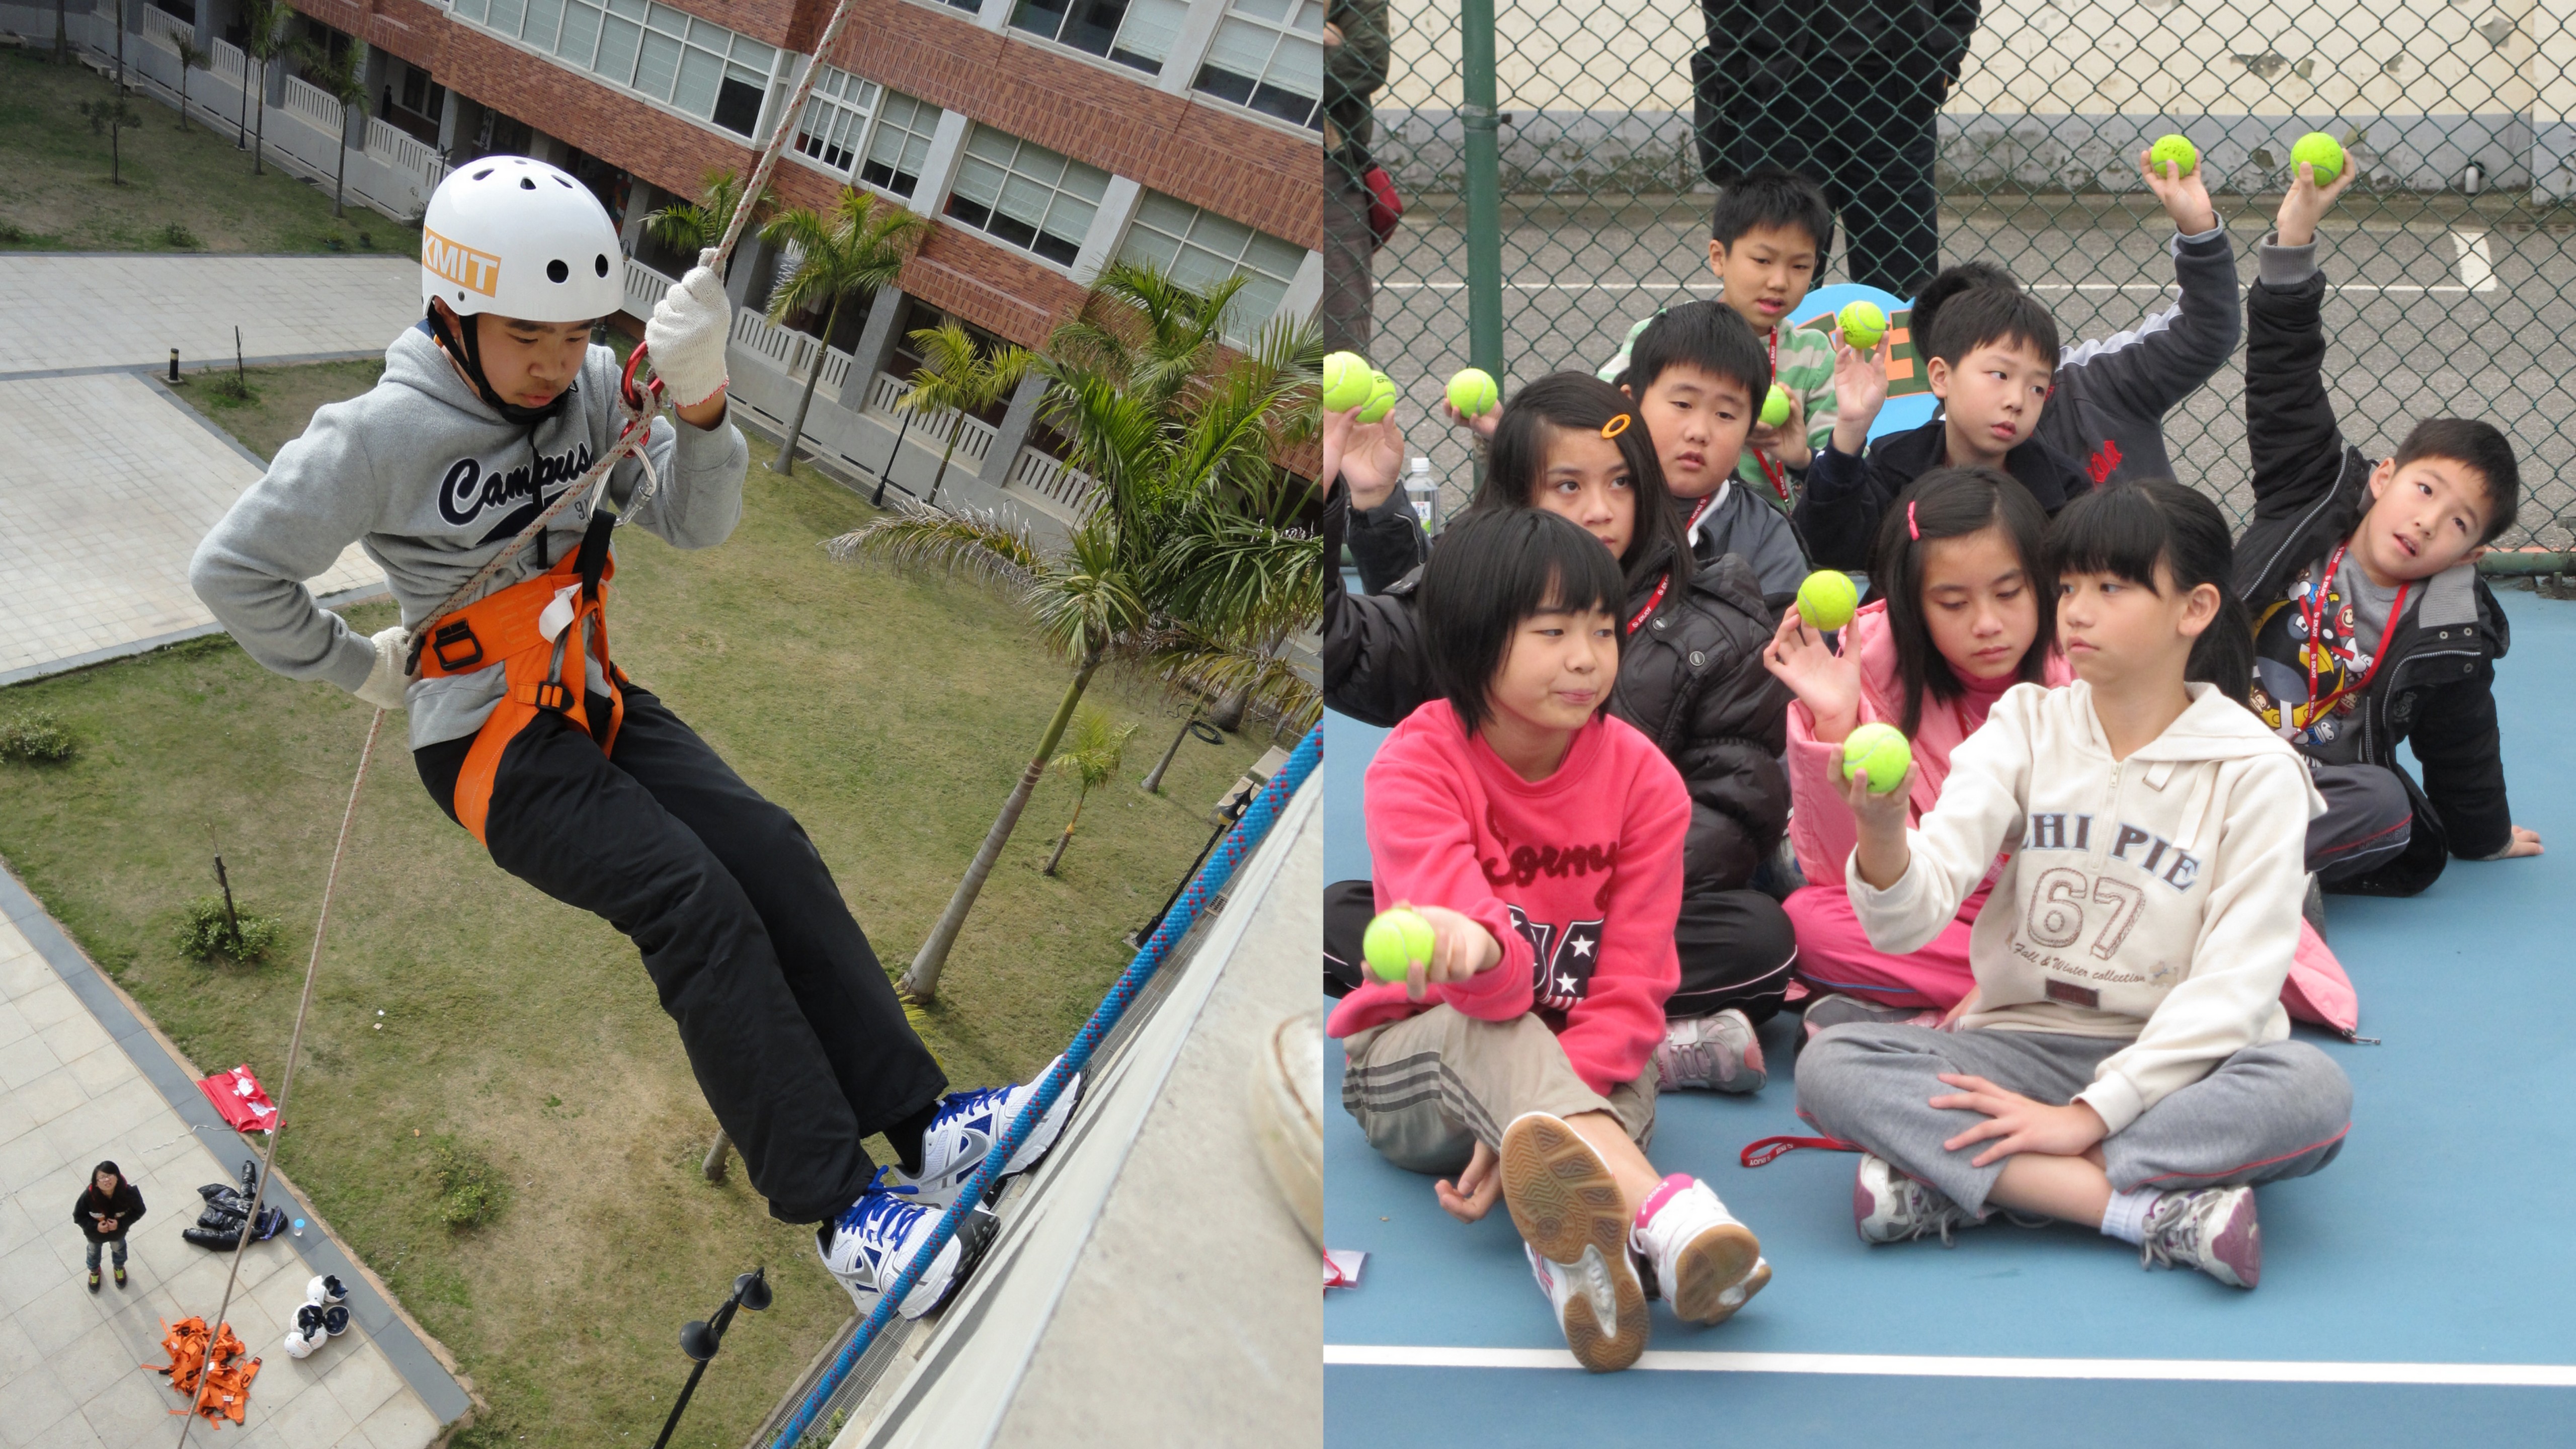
890	713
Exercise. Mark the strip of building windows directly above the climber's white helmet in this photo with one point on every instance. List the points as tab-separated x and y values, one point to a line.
653	50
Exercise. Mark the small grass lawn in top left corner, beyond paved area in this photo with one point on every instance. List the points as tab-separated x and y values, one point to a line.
55	190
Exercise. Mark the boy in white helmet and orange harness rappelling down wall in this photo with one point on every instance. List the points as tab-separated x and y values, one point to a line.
578	780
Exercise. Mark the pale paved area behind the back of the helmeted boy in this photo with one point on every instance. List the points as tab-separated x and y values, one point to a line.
107	481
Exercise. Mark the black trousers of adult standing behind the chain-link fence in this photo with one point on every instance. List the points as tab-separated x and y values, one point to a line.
1869	138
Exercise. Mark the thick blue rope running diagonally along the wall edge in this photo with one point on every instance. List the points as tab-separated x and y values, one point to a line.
1075	1058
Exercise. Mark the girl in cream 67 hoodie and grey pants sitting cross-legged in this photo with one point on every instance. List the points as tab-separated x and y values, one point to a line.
2124	1061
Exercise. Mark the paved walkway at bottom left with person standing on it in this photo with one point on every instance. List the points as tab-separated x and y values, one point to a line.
84	1082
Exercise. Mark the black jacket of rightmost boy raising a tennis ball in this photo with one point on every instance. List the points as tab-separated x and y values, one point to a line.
2438	677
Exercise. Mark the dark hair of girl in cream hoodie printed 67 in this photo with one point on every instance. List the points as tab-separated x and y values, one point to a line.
2134	527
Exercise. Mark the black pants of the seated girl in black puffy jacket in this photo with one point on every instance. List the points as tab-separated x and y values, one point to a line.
1738	950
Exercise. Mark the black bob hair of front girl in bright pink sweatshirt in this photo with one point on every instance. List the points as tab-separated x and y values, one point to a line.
1493	571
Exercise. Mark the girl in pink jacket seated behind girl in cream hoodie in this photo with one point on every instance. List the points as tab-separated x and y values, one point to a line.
1959	623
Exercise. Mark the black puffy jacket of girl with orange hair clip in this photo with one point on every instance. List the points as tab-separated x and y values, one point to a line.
1691	679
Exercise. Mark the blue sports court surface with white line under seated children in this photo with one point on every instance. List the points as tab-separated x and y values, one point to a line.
2420	1290
